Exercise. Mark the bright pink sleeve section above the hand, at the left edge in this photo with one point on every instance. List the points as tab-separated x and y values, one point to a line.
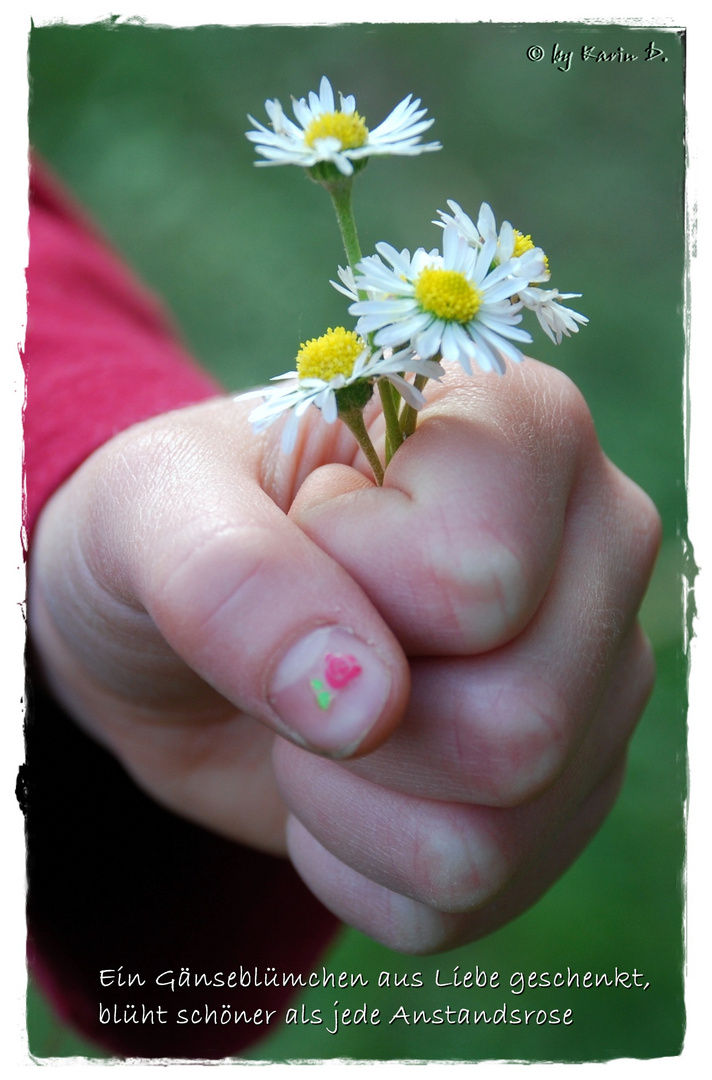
100	354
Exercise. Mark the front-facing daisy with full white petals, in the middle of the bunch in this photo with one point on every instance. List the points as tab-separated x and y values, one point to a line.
455	305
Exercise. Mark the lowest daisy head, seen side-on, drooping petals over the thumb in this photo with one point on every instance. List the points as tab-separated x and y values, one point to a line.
329	364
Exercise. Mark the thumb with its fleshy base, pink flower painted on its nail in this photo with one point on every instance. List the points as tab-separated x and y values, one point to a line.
168	580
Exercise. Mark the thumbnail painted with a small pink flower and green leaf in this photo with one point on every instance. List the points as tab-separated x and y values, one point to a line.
330	690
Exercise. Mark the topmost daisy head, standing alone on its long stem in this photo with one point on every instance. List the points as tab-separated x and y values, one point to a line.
325	133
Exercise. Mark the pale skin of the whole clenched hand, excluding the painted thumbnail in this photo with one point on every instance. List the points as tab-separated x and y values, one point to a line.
496	577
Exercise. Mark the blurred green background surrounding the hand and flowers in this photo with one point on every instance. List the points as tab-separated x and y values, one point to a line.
147	126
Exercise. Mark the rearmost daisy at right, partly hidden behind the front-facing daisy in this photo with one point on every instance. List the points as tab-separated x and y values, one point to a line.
555	319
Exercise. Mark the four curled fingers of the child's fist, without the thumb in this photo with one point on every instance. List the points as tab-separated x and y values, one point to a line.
511	558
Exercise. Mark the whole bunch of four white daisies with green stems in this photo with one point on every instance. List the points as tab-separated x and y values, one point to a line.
412	312
